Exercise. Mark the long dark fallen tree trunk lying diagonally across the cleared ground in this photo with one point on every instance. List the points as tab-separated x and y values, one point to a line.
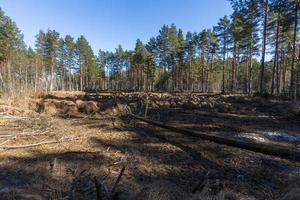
278	150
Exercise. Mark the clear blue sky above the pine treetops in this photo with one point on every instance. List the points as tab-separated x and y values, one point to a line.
107	23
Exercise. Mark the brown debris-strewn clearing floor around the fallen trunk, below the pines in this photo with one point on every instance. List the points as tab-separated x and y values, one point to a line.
96	139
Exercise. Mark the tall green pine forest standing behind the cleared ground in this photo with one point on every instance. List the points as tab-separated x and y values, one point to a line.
229	58
